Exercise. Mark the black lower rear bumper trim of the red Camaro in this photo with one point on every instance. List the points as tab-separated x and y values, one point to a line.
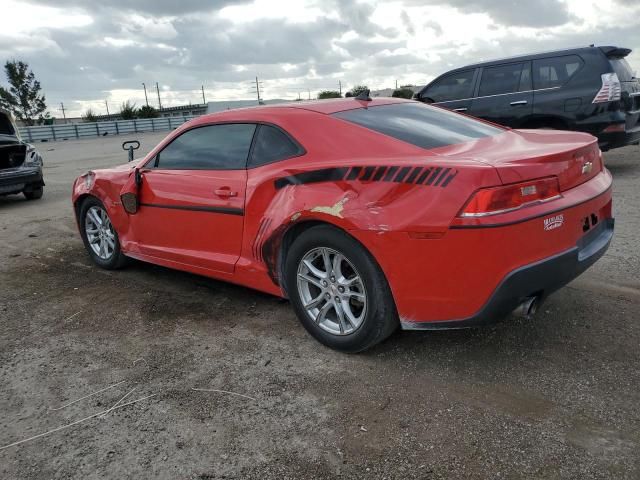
538	279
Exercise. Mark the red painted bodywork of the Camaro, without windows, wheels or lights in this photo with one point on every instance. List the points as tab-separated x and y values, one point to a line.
437	268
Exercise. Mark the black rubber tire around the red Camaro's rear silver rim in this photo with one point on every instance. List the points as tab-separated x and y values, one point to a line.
380	318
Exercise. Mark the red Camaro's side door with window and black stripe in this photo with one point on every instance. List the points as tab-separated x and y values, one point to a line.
192	197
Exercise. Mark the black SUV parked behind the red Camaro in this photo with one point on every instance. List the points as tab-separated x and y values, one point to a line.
589	89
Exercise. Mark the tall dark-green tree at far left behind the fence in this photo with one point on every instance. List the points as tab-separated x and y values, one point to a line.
23	98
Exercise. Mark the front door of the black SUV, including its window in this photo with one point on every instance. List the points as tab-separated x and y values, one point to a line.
452	91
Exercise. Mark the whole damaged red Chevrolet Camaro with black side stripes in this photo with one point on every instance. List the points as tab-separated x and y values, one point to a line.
366	214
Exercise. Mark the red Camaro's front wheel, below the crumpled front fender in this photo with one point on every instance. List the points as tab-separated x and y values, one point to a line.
99	236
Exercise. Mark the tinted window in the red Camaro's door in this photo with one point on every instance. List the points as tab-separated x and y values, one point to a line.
213	147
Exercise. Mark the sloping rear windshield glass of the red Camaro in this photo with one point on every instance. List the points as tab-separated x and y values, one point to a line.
419	124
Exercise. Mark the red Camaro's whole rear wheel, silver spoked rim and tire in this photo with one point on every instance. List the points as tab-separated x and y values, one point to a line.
338	291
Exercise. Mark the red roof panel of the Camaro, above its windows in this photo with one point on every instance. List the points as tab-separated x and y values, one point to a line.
326	107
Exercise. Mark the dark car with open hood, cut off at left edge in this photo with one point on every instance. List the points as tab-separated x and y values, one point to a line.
20	162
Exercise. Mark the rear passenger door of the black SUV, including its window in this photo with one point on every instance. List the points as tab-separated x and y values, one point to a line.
504	94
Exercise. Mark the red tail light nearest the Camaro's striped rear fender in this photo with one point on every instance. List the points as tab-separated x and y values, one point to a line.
495	200
